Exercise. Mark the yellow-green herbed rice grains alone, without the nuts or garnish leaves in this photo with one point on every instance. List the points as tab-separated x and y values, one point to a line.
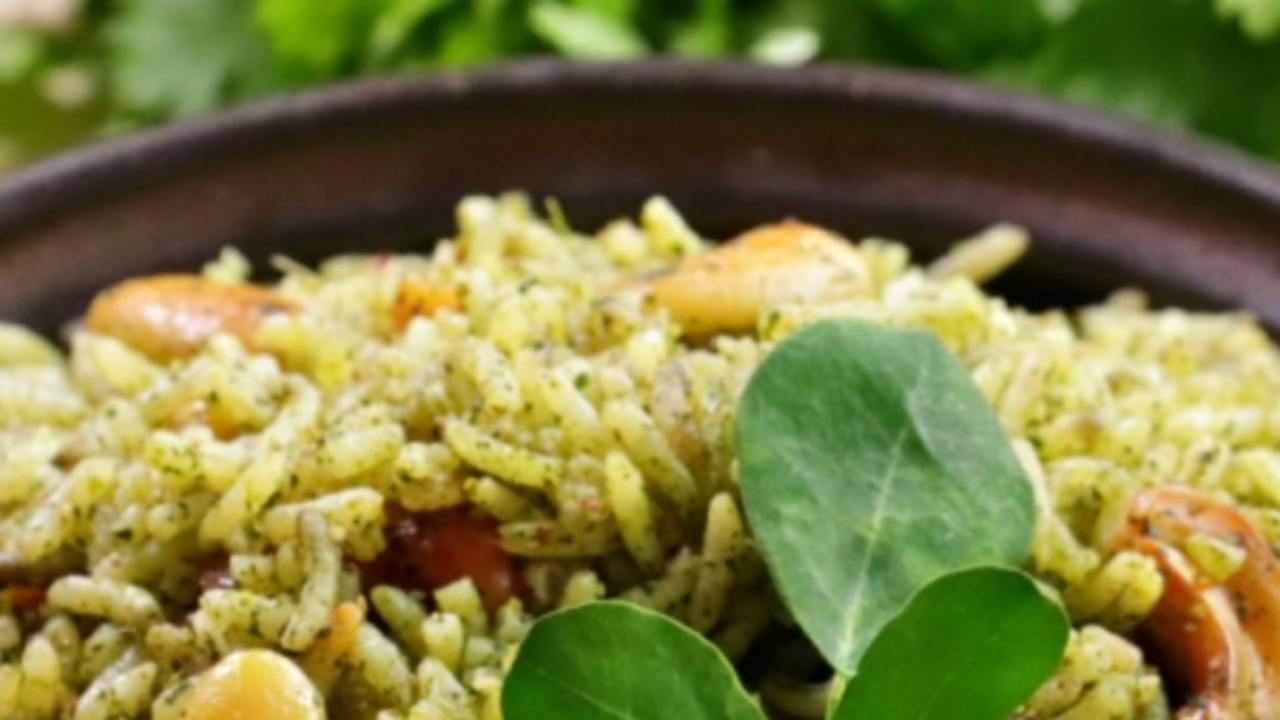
575	417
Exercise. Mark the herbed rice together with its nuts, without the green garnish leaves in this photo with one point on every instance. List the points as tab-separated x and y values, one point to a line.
351	494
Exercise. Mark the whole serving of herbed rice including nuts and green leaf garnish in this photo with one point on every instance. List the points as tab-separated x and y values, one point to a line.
502	481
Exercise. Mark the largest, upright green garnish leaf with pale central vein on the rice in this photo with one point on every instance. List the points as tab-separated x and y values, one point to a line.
871	466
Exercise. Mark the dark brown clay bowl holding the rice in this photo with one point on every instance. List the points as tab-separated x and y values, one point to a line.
381	166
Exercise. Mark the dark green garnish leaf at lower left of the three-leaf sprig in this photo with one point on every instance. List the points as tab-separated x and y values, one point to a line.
619	662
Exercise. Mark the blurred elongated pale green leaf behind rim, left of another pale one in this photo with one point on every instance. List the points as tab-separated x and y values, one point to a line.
584	34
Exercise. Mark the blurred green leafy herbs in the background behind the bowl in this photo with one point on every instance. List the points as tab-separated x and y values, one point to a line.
72	71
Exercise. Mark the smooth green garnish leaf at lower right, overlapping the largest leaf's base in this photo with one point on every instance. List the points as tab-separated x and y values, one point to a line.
971	646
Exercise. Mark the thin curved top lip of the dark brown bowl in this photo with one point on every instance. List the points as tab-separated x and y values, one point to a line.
30	194
